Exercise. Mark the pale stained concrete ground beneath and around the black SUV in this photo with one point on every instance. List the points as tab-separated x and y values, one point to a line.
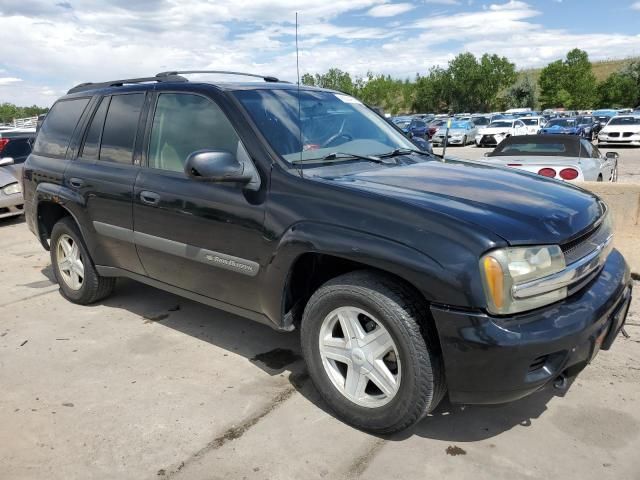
149	385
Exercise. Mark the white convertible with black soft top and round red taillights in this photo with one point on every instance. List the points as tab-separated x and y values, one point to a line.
563	157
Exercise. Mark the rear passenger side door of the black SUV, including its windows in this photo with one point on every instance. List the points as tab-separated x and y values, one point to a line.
104	173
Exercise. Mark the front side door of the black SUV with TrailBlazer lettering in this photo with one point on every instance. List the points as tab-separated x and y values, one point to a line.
200	236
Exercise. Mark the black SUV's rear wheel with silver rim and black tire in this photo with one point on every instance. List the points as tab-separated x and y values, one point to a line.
73	268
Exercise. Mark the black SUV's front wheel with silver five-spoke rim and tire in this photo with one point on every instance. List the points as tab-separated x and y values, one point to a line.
371	352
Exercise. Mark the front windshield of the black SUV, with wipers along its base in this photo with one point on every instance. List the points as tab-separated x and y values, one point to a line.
330	123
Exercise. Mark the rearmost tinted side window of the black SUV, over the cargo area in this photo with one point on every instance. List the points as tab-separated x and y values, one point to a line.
55	133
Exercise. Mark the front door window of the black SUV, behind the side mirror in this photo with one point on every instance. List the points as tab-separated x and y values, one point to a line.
185	123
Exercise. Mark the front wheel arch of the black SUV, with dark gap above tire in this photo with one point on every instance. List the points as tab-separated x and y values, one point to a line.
310	254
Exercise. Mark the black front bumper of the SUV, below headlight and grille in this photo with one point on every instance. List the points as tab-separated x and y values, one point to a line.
499	359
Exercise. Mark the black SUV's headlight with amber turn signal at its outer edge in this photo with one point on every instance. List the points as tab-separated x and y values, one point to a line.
504	268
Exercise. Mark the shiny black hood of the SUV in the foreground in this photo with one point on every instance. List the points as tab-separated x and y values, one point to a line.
520	207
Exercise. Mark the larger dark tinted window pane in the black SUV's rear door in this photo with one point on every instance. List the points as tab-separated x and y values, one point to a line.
120	128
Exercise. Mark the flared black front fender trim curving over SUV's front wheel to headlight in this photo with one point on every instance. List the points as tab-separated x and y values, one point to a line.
436	282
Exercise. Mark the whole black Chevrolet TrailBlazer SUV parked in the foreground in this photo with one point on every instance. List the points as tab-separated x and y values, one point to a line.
301	207
